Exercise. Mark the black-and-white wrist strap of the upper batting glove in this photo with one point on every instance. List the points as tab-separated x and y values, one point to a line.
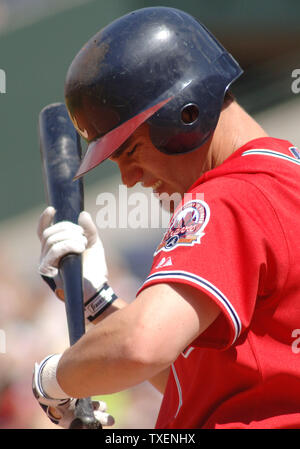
96	305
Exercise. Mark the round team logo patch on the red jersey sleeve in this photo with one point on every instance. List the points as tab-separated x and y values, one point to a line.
186	227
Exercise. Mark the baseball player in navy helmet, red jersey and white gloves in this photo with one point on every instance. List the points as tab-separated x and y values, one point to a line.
214	325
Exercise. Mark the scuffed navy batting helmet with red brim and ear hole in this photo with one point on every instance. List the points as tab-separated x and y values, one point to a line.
157	65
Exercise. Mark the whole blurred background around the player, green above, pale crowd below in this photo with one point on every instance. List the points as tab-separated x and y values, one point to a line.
38	39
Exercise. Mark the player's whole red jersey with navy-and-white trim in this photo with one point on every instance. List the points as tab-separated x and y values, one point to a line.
237	239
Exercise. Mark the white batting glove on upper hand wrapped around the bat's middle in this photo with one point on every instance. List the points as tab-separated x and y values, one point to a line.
64	238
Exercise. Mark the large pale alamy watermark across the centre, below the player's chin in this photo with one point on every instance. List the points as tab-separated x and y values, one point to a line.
138	209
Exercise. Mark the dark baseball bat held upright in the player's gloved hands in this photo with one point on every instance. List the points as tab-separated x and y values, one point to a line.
61	155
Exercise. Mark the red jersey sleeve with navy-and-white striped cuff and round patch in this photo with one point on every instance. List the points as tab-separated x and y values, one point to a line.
224	239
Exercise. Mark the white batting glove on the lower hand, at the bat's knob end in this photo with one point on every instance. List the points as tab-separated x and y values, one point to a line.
62	411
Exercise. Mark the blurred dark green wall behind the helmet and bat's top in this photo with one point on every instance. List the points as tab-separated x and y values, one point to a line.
38	40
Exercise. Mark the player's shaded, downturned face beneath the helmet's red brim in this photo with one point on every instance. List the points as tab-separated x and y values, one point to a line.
140	161
